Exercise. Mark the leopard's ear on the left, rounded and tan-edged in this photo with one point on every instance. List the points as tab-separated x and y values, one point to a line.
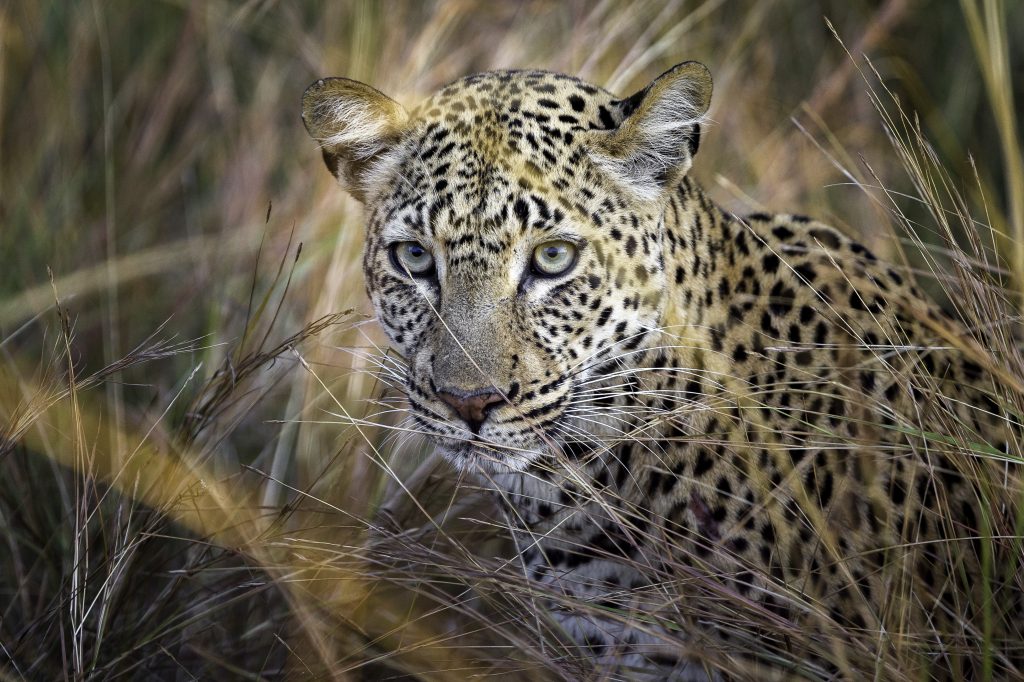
356	125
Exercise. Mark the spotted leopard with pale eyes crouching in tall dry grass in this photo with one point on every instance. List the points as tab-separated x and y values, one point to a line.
697	423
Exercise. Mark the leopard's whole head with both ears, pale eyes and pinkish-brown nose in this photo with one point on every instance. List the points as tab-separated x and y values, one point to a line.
515	251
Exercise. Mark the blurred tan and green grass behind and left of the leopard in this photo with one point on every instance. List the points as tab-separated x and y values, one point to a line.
168	235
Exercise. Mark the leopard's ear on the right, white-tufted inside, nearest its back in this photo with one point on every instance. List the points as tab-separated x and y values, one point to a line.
659	131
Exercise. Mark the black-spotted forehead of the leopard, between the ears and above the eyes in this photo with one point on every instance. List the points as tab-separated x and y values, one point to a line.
503	143
